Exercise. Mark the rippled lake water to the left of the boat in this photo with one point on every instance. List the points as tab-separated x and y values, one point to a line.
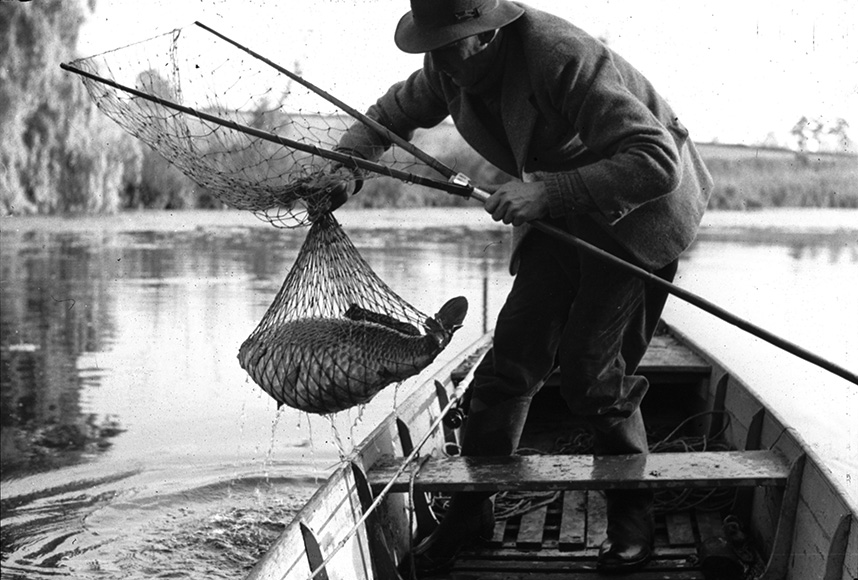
133	443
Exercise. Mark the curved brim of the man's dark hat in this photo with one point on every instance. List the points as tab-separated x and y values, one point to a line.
412	38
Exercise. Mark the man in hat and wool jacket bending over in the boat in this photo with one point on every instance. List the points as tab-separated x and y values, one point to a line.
601	155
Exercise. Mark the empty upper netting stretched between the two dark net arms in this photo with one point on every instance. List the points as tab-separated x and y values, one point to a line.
193	68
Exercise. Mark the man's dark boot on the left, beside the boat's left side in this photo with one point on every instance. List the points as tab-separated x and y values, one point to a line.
470	516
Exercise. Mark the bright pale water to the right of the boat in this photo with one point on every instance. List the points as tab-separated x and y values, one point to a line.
800	288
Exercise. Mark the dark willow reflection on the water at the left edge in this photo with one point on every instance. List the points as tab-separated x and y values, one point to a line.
44	331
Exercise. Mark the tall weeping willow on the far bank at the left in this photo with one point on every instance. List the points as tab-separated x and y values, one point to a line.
57	151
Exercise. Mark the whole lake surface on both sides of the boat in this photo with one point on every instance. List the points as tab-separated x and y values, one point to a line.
133	444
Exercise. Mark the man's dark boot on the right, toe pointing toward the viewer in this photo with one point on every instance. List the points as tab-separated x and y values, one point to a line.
628	545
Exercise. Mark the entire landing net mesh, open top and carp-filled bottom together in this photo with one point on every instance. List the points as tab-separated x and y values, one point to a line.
335	334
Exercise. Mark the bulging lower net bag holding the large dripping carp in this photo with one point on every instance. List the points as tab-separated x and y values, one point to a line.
335	334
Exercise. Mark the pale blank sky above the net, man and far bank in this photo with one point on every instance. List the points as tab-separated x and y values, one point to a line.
734	71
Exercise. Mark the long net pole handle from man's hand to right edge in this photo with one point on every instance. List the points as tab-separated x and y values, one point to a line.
482	195
